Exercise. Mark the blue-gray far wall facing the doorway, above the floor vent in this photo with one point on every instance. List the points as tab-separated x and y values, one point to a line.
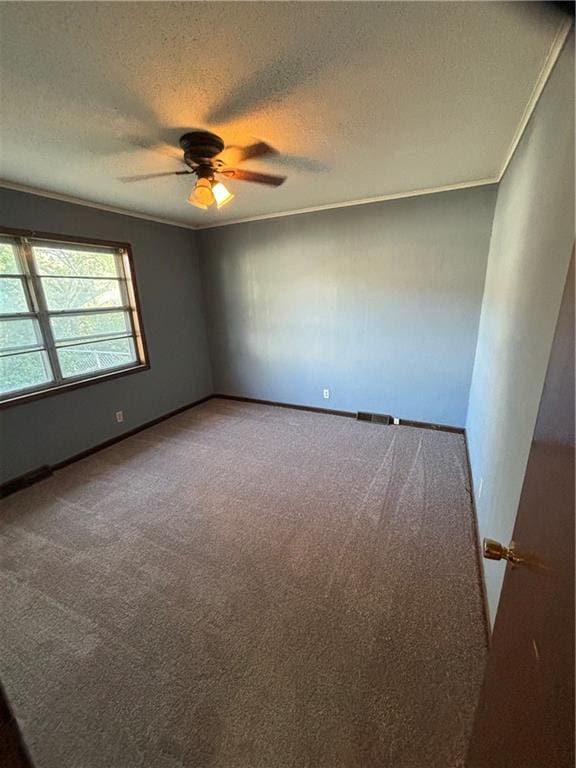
380	303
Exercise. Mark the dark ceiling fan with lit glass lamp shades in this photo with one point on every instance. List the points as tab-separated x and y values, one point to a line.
201	155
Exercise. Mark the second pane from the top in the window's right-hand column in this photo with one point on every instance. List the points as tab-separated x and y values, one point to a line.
74	293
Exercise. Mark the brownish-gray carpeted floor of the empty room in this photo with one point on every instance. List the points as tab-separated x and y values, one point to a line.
244	586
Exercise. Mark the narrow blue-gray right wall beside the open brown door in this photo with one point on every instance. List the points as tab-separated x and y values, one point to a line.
532	239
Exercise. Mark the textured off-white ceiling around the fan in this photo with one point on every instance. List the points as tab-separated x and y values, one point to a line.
361	99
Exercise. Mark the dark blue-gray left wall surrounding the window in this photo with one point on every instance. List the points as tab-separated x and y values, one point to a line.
166	265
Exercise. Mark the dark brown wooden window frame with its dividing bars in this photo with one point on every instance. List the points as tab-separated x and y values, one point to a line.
38	310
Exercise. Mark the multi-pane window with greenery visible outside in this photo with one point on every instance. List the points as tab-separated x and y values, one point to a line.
68	314
